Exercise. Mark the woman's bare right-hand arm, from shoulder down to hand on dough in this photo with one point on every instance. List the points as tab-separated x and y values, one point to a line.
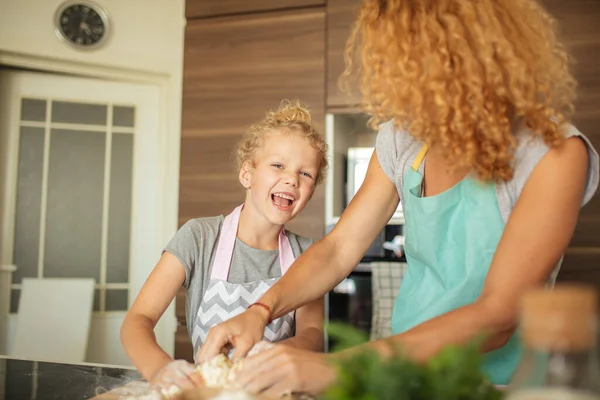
536	235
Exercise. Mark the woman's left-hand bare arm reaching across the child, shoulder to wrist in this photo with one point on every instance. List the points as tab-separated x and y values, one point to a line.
332	258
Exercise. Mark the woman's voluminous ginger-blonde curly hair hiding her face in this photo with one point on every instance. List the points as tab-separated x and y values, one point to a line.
458	74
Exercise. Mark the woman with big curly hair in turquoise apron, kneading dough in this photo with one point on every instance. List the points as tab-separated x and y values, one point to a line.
490	173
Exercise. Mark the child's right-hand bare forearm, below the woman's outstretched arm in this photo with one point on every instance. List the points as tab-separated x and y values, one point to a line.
309	327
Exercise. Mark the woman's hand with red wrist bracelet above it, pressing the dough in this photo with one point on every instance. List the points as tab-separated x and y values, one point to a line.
241	332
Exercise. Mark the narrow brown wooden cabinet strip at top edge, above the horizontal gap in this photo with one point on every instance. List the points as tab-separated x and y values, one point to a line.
209	8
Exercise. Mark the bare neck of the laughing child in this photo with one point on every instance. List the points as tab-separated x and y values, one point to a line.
255	231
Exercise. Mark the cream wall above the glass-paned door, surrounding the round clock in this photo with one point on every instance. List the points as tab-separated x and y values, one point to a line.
147	35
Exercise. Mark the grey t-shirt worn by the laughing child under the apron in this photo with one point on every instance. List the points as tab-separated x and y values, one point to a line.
195	246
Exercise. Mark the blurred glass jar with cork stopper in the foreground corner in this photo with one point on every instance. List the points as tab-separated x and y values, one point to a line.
558	329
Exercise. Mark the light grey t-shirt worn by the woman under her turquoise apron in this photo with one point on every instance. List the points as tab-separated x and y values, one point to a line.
397	150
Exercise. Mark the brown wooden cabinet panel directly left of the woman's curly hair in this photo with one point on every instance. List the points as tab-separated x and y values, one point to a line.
340	18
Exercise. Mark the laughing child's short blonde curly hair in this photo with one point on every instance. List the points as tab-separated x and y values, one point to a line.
290	117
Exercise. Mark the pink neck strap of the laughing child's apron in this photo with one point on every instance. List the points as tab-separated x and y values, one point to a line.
226	243
